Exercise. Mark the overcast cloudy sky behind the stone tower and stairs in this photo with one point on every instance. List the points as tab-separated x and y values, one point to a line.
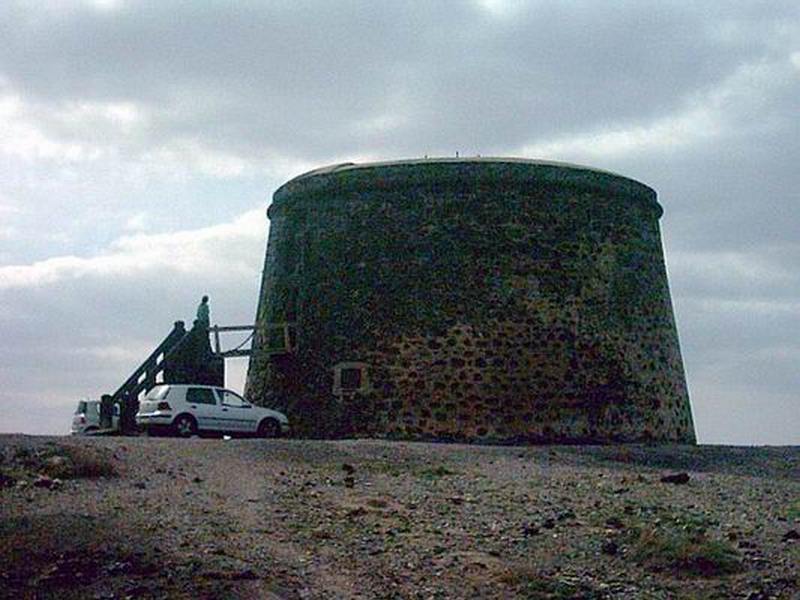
140	144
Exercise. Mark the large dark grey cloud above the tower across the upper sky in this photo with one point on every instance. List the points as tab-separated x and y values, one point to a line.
300	78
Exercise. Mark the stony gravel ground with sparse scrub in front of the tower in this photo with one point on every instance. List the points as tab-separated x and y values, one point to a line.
209	518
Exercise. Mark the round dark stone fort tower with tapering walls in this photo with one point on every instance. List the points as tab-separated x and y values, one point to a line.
479	299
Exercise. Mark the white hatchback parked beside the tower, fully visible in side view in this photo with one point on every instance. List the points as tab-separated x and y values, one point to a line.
187	410
